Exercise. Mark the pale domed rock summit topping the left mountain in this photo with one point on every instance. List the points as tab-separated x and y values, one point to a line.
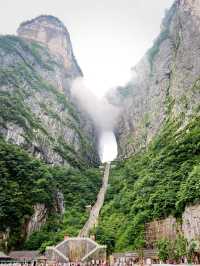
50	31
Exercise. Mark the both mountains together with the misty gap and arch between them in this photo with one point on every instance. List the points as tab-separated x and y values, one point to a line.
55	134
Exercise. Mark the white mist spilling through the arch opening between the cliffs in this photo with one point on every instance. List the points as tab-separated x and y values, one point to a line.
104	116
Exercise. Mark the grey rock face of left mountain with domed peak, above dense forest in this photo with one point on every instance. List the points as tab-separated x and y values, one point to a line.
37	110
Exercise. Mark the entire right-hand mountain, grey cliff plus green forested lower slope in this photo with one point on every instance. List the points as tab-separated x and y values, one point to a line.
153	197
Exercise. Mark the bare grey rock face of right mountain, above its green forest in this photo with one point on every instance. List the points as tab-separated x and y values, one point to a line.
167	80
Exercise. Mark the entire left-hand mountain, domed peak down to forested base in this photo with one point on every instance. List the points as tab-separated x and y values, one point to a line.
47	142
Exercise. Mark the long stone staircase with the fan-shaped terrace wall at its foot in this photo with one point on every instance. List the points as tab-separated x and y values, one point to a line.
82	248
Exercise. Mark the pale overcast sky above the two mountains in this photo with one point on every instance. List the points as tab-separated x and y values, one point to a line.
108	36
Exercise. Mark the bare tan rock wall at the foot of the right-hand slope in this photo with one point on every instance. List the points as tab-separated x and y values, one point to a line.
170	228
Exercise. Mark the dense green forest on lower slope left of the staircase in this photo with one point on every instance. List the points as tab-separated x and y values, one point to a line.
26	181
